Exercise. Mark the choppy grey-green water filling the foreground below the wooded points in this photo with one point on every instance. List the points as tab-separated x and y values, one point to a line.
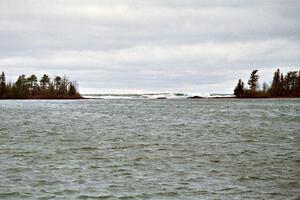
150	149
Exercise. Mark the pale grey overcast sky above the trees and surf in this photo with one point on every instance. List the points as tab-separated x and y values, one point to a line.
142	46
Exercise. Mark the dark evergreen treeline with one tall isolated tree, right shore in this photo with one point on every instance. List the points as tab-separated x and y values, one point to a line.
287	85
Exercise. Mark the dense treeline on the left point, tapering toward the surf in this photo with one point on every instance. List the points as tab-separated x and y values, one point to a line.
33	88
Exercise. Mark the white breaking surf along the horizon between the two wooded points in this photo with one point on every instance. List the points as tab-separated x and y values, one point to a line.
154	96
